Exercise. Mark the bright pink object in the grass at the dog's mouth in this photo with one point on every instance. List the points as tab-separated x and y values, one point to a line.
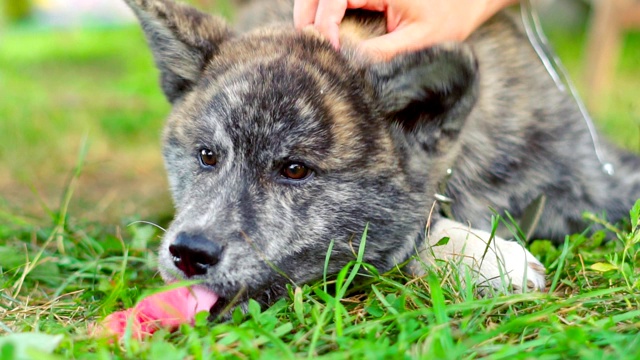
167	309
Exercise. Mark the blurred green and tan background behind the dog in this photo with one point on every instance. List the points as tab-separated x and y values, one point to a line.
93	78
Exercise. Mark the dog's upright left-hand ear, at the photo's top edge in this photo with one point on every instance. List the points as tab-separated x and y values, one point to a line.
182	40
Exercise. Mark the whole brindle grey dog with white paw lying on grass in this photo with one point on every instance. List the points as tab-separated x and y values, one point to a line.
279	146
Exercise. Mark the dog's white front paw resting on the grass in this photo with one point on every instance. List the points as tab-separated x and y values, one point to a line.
497	263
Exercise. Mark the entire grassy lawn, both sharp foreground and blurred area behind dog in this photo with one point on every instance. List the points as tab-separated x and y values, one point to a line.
80	120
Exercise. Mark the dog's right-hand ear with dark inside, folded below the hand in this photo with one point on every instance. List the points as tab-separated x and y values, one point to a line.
429	93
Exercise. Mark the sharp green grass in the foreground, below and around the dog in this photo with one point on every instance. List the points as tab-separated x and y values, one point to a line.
77	274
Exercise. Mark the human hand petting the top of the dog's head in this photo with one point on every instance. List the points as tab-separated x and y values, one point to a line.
411	24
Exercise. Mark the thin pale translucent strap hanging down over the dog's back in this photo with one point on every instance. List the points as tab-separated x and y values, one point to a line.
558	73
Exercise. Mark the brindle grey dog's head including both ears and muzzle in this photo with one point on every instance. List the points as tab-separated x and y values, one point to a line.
278	144
